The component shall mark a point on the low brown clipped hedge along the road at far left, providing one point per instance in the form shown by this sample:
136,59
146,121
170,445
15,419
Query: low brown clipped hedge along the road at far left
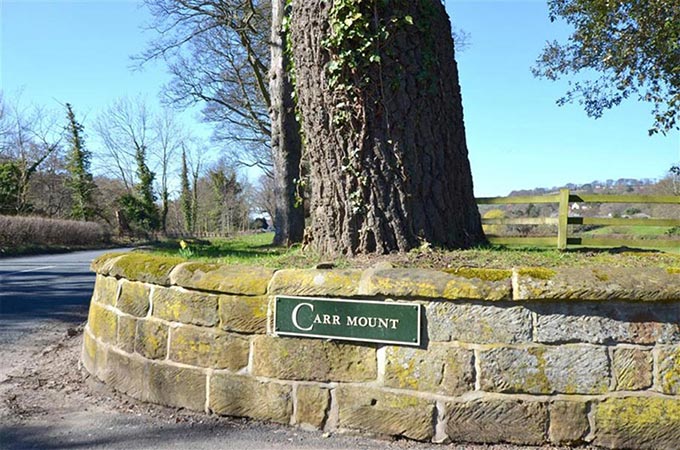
17,232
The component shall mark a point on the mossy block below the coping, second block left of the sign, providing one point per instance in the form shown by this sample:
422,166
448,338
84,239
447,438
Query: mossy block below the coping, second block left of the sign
178,305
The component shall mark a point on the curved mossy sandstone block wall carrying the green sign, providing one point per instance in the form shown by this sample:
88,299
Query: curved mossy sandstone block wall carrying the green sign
527,356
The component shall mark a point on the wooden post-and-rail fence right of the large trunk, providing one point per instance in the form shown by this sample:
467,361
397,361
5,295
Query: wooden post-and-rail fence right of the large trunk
564,198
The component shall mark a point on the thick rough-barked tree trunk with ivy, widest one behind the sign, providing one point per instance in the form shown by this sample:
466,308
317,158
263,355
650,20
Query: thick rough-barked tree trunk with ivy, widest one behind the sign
384,131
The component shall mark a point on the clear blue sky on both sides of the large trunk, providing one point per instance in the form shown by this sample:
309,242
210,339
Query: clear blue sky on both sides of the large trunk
79,51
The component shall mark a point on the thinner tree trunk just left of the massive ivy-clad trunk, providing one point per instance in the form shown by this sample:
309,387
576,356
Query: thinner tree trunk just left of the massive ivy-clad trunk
289,220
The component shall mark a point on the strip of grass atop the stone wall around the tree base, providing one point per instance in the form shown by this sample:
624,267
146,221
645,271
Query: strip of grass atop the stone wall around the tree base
255,249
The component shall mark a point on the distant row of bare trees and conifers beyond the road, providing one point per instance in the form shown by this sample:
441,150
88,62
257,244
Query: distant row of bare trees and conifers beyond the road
150,176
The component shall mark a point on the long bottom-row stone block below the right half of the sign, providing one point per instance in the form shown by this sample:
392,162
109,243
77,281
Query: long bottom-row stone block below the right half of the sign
381,412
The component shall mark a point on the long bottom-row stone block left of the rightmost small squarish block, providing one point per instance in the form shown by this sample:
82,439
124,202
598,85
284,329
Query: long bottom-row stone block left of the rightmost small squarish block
493,421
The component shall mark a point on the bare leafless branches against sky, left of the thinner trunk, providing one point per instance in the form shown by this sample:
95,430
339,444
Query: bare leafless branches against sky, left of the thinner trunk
218,54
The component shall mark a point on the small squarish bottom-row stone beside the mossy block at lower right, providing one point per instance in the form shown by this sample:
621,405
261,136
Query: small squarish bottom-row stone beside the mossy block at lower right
568,422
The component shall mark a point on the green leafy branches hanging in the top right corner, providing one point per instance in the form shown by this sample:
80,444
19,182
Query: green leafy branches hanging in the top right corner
621,48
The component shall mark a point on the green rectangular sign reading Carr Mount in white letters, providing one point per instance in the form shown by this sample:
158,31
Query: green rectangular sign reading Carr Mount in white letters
352,320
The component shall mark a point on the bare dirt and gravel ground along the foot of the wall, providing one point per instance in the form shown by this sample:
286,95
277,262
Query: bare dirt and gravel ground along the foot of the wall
48,401
